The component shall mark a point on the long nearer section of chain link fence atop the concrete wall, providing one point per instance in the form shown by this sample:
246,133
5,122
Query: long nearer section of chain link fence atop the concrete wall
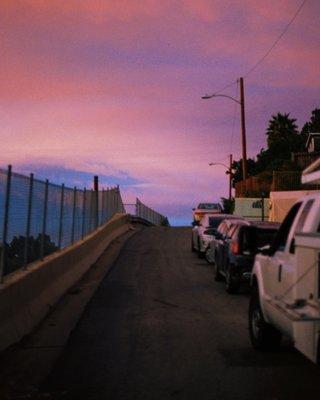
38,217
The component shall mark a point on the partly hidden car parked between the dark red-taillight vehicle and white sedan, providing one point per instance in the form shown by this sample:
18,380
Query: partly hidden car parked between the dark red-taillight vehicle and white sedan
222,235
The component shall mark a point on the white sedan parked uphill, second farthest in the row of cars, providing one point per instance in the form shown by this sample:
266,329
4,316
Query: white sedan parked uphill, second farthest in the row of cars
205,231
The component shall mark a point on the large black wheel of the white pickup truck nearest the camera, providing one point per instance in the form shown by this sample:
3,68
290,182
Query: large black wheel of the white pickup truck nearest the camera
263,336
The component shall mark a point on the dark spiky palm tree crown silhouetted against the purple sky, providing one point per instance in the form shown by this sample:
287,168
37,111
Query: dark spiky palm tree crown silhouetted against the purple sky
281,128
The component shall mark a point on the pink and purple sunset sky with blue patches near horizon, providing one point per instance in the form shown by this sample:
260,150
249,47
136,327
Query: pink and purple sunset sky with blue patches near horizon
114,88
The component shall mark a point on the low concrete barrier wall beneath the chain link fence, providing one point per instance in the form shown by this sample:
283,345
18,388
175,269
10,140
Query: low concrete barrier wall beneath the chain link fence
27,296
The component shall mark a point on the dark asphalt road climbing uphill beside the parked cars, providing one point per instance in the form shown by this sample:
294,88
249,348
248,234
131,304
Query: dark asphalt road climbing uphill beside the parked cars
160,327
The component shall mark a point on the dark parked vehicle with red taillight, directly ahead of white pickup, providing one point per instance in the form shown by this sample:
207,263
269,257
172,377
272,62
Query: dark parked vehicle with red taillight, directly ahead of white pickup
235,255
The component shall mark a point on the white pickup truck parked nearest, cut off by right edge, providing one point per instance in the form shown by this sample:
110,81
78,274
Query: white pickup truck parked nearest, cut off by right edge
285,281
